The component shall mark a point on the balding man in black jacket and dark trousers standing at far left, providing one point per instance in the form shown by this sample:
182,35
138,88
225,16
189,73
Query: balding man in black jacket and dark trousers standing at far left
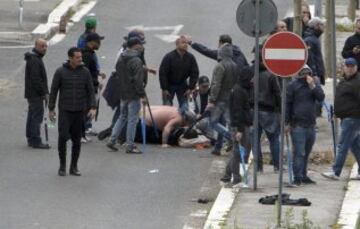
36,91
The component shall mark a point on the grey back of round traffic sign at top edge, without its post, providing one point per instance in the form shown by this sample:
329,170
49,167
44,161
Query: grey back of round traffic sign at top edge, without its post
246,17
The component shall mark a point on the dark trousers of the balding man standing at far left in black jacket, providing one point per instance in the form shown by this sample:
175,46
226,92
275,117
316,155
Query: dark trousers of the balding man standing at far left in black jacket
34,119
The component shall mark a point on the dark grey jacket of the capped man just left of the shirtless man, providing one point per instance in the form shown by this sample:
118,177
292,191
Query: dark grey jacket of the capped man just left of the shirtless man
131,72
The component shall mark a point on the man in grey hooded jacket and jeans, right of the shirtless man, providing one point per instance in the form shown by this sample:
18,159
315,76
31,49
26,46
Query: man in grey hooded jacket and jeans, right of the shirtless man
223,80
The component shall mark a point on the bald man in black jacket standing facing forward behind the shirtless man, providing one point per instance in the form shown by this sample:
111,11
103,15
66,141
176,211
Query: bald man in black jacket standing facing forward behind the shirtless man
176,68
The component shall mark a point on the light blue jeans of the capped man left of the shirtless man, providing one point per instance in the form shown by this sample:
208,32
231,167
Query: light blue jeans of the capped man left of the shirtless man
129,115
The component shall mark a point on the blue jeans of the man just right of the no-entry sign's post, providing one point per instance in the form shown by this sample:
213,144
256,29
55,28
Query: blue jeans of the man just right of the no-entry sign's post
303,140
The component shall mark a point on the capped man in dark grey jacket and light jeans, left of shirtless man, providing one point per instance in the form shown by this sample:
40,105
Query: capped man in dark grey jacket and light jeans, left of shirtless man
131,71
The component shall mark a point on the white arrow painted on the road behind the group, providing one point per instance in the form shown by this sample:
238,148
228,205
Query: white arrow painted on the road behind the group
165,37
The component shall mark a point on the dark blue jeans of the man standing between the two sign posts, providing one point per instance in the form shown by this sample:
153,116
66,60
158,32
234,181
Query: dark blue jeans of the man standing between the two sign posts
269,123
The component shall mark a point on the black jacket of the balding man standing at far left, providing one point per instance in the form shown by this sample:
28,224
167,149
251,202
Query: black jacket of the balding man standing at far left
36,85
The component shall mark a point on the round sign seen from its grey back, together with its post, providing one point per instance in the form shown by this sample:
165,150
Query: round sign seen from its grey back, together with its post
263,23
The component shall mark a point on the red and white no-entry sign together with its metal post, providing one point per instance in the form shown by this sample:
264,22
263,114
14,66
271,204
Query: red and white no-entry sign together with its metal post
284,54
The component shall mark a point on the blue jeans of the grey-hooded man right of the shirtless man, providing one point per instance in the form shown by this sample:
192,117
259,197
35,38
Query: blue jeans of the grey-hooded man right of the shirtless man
218,123
